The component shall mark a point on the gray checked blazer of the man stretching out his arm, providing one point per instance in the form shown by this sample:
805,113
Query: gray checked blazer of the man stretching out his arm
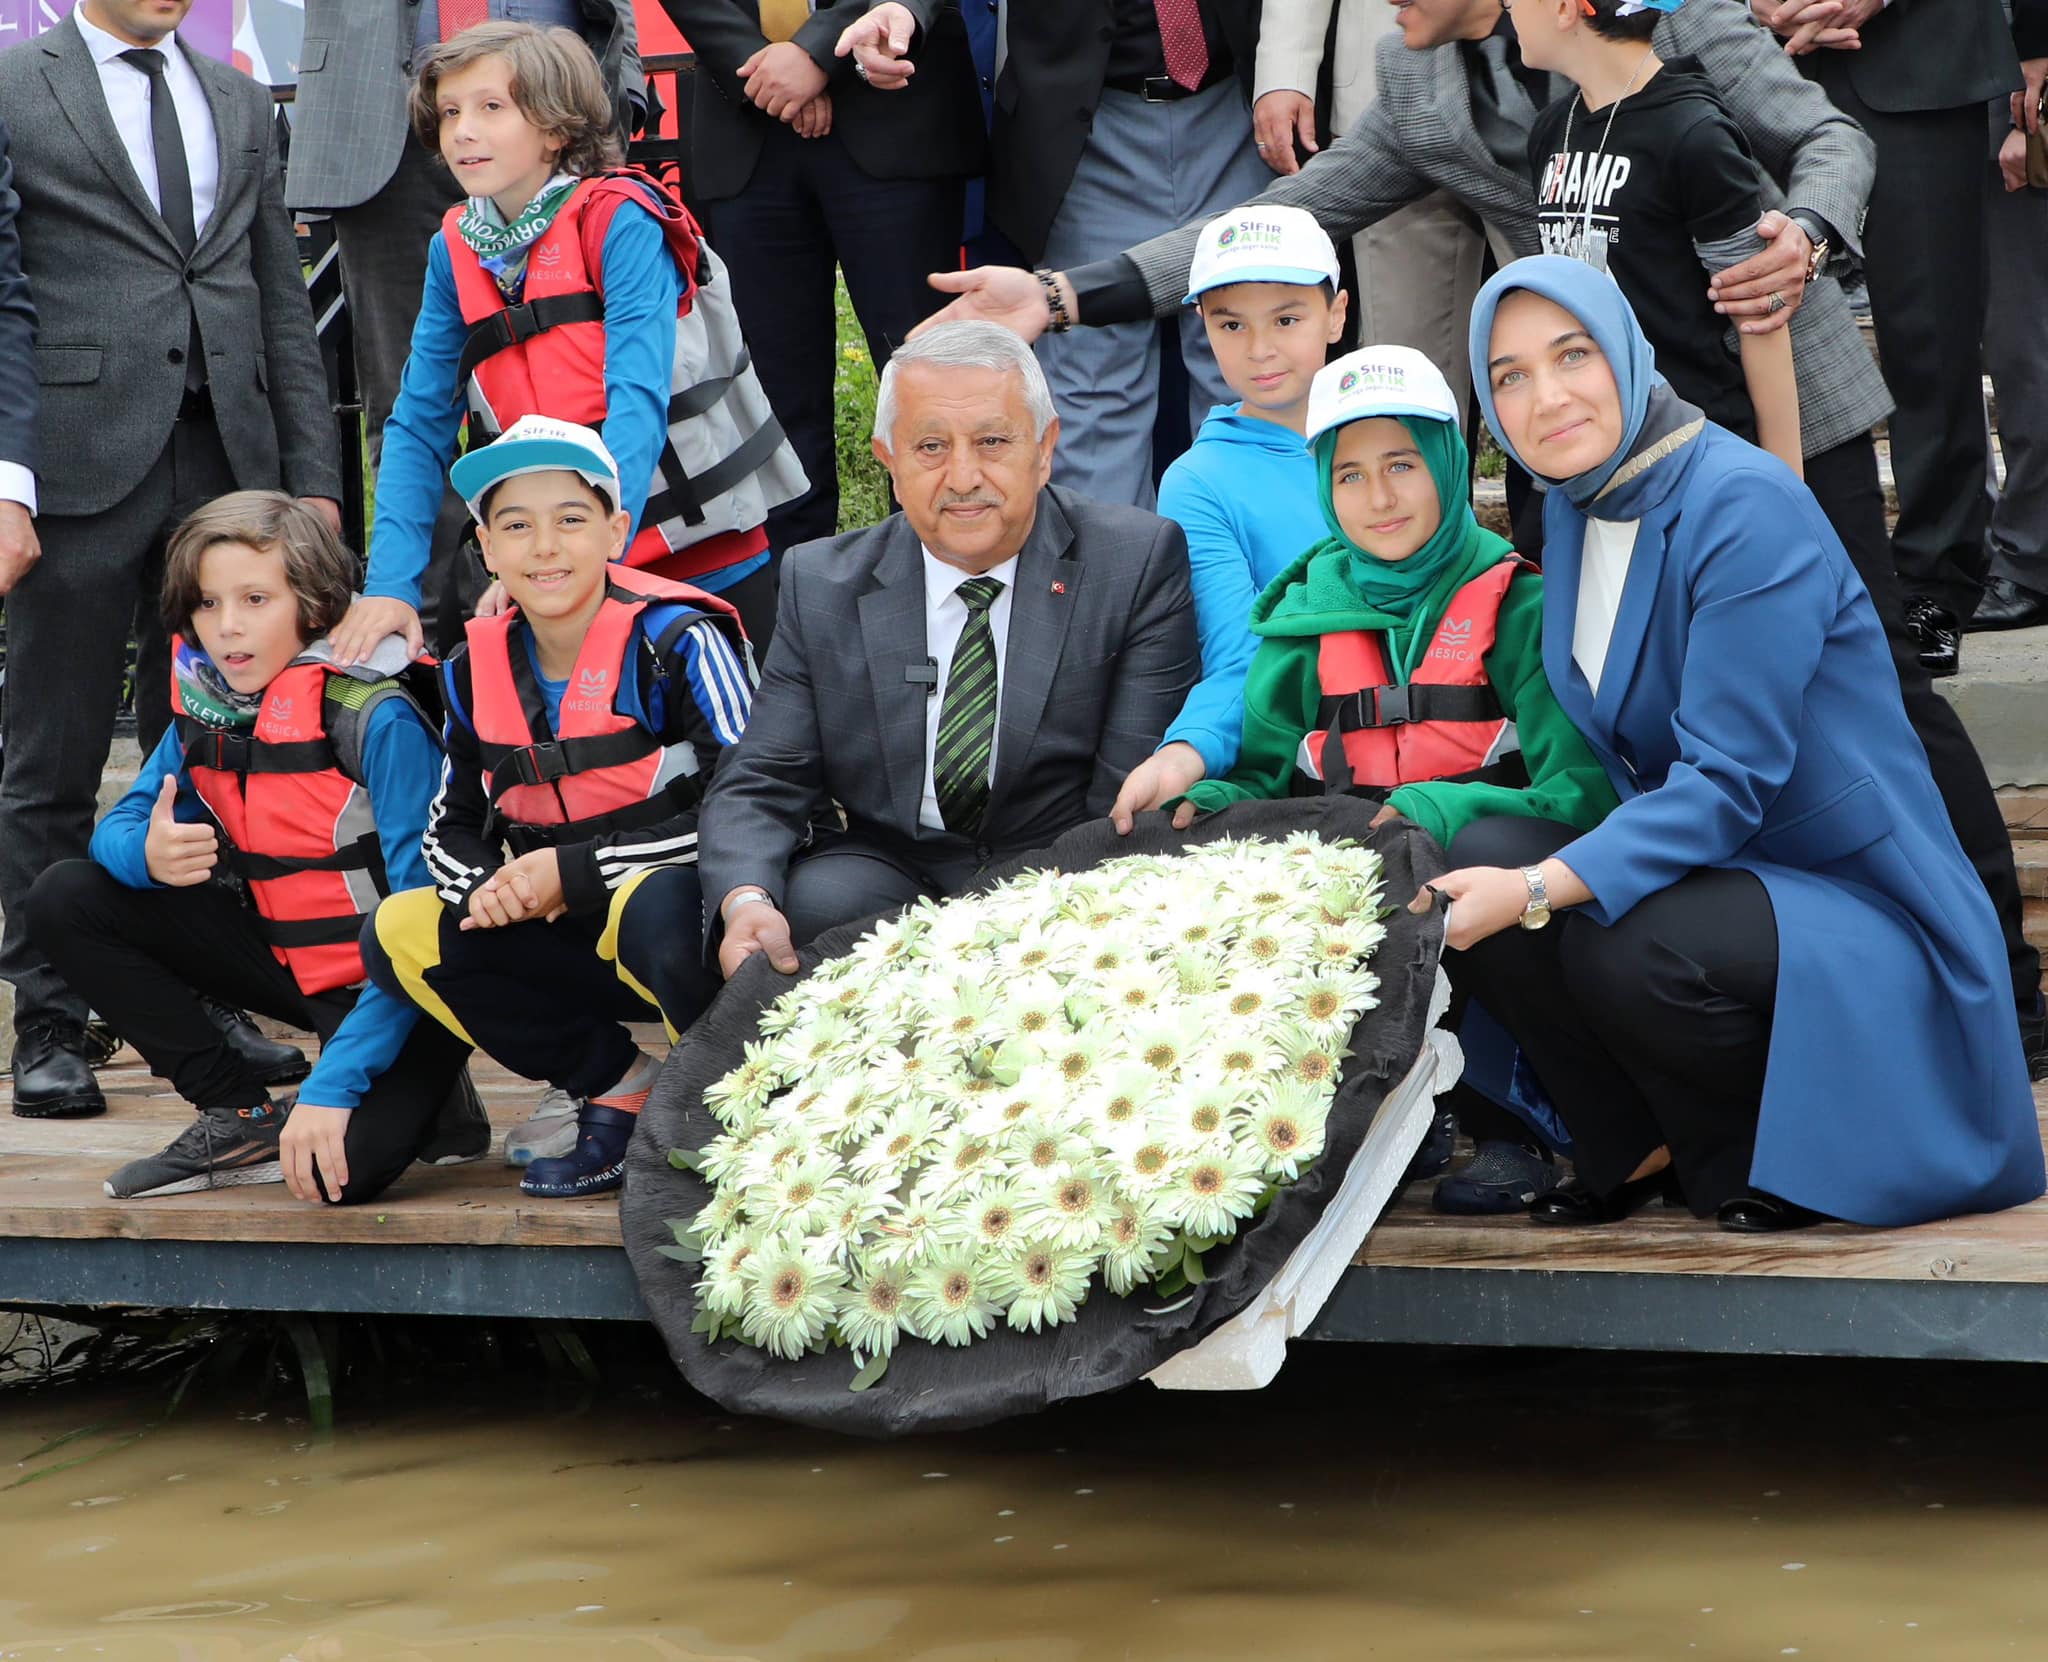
1418,136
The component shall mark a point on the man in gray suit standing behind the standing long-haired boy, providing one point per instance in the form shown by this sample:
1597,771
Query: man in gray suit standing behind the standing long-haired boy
353,152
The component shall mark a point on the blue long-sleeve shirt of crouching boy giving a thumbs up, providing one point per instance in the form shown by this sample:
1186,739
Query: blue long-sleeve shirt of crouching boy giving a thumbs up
402,773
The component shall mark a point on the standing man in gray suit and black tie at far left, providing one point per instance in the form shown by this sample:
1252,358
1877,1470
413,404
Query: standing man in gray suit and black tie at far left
177,361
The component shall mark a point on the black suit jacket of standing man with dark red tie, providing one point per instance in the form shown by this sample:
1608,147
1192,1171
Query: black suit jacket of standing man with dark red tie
1046,101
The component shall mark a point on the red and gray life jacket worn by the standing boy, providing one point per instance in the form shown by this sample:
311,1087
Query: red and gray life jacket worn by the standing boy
726,462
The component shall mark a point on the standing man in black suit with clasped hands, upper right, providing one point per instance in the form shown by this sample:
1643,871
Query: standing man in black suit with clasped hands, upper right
1916,79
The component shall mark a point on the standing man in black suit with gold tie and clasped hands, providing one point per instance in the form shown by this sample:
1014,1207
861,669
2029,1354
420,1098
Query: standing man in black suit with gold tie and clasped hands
798,169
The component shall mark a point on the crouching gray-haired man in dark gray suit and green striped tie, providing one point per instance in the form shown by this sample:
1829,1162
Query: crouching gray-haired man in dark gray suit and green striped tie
970,679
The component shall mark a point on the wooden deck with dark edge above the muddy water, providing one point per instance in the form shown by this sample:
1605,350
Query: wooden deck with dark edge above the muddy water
464,1241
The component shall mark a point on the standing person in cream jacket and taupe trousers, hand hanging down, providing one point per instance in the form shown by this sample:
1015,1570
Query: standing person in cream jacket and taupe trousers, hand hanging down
1420,267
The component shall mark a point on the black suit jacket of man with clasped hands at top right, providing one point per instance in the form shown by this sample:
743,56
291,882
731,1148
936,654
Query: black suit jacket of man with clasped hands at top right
1926,56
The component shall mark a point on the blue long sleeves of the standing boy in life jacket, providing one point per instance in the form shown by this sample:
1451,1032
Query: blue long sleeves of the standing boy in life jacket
642,292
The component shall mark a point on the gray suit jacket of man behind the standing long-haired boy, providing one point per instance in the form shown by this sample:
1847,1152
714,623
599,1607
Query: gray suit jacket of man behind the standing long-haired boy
355,77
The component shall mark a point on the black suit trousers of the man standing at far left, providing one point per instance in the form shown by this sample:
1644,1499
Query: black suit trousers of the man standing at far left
69,625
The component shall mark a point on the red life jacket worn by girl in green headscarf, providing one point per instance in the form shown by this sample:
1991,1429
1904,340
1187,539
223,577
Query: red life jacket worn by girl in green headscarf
1447,724
